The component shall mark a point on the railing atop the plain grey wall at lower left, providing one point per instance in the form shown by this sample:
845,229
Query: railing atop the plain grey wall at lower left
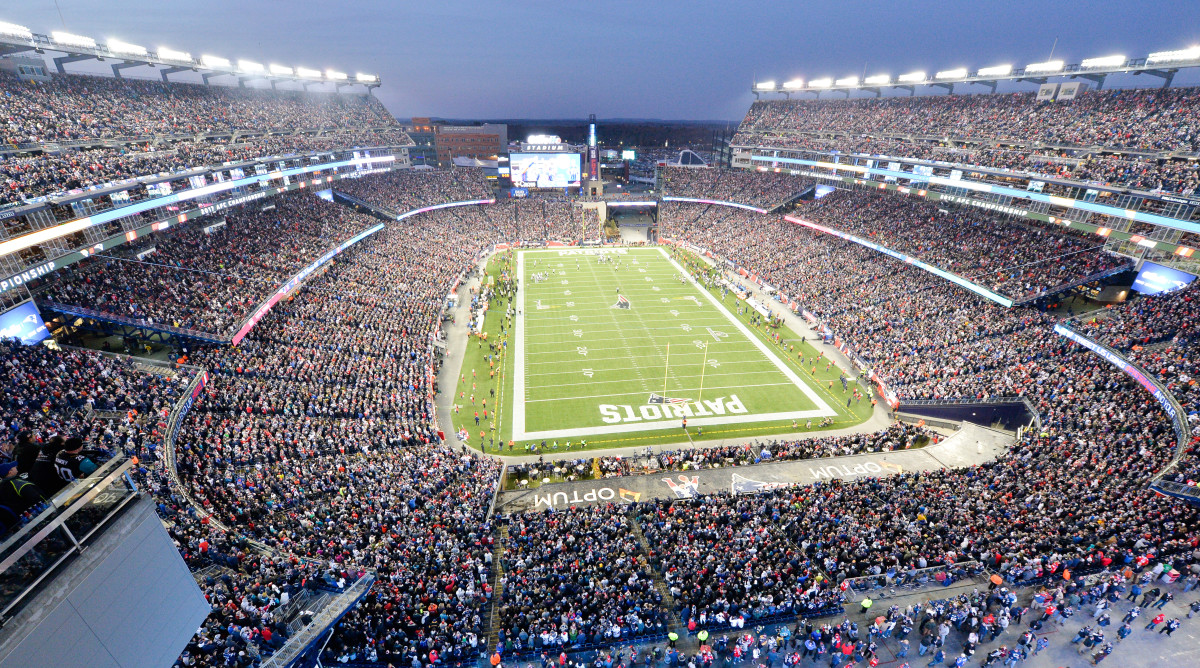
71,519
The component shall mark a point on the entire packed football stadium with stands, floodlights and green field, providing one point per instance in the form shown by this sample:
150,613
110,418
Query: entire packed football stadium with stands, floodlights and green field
898,370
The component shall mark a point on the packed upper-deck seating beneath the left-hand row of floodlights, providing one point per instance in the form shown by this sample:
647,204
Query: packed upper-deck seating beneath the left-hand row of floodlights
80,131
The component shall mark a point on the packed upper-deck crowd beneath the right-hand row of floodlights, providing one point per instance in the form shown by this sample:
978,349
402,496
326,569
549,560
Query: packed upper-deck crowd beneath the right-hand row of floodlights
967,128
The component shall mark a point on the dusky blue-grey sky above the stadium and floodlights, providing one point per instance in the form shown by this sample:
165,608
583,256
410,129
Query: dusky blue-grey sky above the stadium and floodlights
668,59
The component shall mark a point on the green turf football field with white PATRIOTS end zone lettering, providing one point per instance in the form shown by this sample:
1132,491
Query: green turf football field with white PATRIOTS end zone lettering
584,362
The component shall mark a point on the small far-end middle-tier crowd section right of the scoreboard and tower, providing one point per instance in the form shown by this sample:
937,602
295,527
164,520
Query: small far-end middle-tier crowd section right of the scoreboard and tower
764,190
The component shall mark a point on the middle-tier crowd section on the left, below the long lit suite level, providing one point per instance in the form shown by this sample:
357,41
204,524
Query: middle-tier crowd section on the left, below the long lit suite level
209,281
